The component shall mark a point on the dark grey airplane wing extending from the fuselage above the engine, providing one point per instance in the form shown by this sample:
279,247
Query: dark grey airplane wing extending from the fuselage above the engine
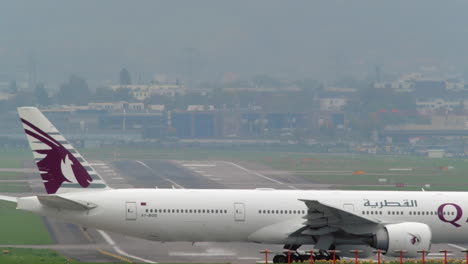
324,219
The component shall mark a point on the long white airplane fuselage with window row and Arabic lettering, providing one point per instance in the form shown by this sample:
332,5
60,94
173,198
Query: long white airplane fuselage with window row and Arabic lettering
263,216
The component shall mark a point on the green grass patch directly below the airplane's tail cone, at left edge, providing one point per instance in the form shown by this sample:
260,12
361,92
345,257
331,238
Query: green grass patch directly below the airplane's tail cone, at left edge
21,228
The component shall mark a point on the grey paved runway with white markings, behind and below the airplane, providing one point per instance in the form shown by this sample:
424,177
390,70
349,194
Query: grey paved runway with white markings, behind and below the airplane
179,174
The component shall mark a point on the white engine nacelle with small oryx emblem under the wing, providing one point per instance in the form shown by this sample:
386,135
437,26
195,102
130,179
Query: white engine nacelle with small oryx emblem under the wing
408,237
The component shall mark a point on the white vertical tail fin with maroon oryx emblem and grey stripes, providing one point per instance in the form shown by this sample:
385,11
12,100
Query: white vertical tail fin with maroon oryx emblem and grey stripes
61,167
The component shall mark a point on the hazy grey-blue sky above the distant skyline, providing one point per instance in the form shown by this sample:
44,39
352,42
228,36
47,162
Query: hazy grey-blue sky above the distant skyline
288,39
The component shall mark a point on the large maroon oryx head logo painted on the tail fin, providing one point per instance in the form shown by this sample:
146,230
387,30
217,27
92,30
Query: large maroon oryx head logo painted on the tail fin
58,165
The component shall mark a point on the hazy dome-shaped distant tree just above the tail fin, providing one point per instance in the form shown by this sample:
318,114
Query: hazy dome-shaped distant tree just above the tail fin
75,91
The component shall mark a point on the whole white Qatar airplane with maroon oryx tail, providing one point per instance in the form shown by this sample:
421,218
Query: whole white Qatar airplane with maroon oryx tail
391,221
